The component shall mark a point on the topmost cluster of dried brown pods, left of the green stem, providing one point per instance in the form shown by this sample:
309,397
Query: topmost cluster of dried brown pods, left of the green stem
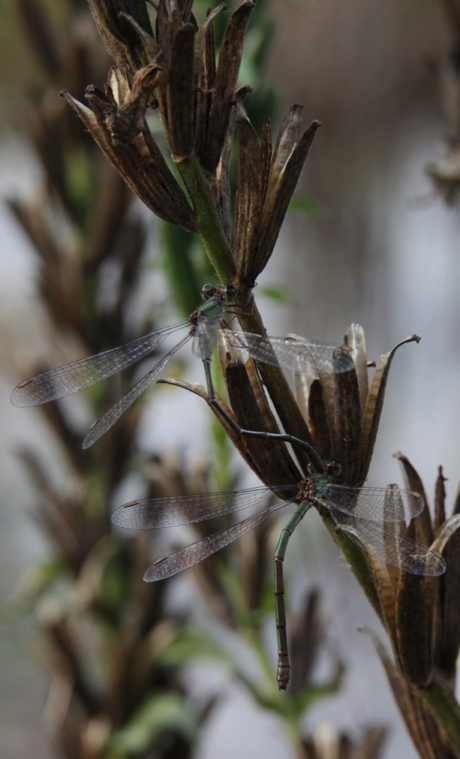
173,70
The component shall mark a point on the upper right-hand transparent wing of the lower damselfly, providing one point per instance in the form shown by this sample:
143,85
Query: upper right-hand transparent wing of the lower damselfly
378,504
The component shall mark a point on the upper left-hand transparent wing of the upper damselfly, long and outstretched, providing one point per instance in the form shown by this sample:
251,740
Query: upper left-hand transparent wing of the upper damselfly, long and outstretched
77,375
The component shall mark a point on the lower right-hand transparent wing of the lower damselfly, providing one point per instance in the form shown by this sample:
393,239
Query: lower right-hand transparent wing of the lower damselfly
393,548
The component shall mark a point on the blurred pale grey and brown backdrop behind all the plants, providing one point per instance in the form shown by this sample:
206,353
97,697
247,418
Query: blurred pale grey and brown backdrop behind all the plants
380,248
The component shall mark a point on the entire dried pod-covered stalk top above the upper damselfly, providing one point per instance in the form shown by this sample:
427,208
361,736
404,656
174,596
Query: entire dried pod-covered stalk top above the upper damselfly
173,69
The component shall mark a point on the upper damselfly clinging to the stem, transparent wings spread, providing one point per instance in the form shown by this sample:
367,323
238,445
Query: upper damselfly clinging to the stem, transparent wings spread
204,326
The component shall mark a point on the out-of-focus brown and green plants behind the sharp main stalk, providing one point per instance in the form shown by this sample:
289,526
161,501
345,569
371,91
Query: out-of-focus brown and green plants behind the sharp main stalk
115,653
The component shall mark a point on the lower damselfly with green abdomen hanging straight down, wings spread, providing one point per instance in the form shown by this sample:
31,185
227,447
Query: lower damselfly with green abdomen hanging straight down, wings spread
361,512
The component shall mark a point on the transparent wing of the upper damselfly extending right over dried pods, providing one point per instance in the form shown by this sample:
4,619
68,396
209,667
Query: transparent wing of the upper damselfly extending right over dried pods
292,352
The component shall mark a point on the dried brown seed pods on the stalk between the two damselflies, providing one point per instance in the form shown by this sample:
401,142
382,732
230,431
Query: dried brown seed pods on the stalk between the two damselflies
337,403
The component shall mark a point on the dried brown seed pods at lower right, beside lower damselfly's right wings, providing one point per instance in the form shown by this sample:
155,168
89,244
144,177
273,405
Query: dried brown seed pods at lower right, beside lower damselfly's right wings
422,618
